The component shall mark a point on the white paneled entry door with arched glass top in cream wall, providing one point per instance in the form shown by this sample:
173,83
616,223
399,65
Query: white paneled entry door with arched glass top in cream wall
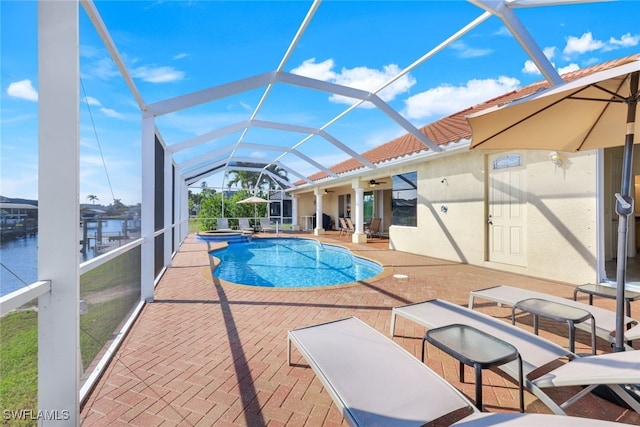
507,210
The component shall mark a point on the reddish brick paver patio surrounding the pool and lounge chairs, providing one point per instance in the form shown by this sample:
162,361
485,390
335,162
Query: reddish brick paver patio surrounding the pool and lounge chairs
209,353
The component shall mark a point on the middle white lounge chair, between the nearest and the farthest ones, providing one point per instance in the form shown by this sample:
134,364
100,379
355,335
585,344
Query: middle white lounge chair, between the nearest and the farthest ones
536,352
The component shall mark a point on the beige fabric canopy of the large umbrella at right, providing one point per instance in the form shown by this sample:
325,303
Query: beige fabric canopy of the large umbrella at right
584,114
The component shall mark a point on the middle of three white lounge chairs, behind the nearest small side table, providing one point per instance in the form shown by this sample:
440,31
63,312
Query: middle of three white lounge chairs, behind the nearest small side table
536,352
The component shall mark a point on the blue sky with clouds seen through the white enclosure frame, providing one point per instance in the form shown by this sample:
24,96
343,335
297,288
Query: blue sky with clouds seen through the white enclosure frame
173,48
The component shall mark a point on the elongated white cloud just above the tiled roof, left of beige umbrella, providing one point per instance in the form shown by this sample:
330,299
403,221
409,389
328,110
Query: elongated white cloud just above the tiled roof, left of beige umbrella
447,99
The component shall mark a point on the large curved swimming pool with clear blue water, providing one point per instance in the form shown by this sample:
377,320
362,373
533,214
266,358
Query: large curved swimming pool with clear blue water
291,263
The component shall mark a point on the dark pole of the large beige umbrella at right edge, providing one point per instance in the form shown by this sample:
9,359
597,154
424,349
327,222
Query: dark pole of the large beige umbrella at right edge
624,208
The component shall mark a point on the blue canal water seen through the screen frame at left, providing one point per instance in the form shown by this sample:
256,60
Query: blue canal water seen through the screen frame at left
19,257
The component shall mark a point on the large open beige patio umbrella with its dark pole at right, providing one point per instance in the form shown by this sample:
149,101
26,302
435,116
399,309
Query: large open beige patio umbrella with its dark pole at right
596,111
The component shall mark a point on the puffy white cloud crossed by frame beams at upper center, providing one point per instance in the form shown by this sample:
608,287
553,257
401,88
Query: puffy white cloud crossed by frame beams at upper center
363,78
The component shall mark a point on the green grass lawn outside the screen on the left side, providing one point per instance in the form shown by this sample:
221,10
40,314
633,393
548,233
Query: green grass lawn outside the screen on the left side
19,331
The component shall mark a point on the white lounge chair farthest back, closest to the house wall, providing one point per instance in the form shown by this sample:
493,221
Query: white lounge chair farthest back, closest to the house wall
605,320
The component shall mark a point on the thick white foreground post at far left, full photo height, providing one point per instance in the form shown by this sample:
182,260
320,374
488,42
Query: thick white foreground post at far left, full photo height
59,361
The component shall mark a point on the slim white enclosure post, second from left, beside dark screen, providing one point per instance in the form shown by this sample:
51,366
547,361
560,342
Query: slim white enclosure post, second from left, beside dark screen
147,267
